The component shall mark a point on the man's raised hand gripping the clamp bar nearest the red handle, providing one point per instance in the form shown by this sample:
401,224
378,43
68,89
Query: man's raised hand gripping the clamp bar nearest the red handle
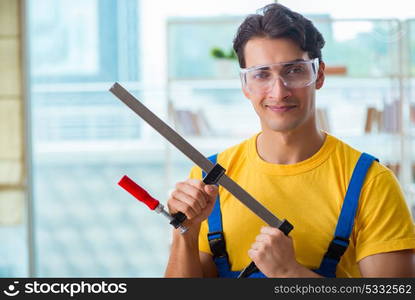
193,198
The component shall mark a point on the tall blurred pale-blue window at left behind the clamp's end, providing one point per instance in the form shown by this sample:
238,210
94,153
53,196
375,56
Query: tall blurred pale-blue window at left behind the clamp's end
83,225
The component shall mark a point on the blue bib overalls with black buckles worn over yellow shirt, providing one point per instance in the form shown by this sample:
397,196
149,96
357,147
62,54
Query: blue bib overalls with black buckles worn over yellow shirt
337,246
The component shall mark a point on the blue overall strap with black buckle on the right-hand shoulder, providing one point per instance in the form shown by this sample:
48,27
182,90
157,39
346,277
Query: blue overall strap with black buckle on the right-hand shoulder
345,223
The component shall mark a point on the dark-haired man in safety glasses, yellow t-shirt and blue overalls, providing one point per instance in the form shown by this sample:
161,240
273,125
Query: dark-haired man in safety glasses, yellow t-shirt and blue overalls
297,171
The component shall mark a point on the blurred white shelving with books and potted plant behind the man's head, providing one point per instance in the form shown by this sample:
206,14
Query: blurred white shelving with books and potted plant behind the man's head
365,99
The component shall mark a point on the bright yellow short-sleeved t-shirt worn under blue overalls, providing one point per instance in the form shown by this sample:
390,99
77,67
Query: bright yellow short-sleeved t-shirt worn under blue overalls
310,194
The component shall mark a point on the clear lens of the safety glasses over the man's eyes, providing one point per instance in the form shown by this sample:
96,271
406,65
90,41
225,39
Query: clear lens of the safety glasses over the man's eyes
261,79
